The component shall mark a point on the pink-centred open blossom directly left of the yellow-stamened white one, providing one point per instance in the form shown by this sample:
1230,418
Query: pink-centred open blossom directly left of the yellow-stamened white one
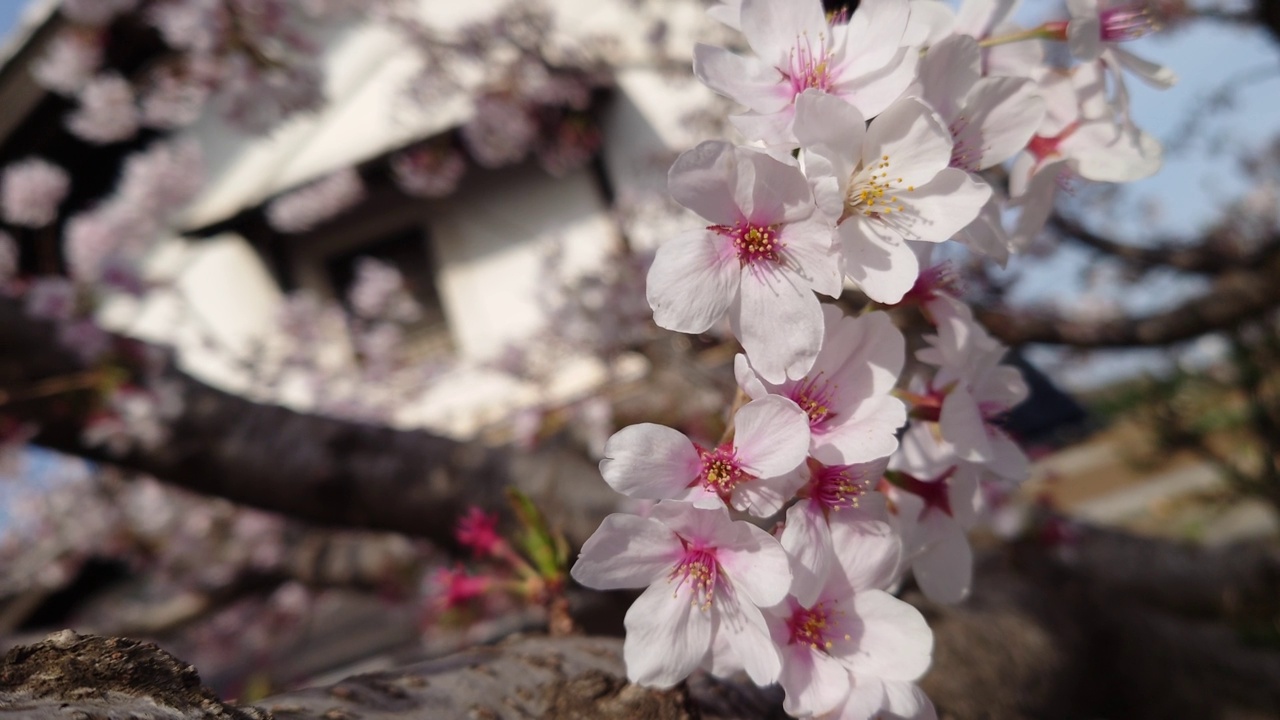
760,262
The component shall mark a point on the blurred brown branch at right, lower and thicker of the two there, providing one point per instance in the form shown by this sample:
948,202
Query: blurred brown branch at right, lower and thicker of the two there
1236,297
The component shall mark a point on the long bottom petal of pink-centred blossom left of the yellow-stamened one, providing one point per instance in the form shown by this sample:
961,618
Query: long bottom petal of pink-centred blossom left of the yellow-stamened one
779,325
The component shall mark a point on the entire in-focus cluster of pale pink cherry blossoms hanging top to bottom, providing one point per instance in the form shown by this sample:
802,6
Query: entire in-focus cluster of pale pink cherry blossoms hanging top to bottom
870,135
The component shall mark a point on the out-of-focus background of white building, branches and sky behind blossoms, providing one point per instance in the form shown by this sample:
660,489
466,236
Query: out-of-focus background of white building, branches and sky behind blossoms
290,286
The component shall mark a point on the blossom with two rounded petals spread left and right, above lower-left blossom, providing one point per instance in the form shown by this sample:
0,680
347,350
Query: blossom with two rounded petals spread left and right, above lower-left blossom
756,472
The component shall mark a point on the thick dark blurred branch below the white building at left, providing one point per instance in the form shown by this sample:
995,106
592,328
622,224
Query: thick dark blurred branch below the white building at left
317,470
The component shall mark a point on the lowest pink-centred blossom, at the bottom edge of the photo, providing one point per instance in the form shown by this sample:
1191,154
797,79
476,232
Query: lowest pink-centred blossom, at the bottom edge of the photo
852,632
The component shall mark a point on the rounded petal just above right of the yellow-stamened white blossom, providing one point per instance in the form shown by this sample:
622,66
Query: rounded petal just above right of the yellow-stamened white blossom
1004,115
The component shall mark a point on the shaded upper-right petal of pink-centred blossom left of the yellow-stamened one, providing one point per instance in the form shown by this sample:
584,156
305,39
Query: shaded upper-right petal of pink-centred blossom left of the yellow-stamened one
771,192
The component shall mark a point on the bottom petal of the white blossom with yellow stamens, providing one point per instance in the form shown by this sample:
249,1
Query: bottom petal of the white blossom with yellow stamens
877,259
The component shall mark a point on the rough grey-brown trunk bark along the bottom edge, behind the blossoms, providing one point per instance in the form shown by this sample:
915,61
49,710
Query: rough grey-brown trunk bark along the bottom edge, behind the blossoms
1116,627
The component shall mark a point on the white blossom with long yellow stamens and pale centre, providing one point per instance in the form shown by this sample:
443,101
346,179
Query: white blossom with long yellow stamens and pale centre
888,184
